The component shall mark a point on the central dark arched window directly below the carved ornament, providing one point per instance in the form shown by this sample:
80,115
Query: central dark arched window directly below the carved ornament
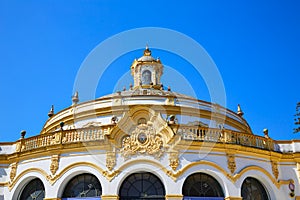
142,185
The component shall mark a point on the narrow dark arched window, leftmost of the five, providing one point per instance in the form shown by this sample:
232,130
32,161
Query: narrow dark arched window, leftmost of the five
34,190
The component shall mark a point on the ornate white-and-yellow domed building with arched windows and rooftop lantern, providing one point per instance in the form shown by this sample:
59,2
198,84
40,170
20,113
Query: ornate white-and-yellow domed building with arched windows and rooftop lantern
148,143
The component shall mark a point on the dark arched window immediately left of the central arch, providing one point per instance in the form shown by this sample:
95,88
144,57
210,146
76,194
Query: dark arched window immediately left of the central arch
83,186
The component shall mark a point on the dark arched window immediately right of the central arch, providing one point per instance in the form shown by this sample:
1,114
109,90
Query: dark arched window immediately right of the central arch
200,186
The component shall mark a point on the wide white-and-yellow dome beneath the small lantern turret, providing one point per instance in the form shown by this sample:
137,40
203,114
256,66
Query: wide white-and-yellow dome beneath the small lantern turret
188,111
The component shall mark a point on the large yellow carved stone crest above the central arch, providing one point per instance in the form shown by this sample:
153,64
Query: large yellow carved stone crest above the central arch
143,140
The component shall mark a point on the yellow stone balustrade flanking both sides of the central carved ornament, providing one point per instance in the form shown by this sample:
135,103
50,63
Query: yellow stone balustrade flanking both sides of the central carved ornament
192,133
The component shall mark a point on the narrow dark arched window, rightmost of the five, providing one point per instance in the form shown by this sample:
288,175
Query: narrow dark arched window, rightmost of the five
252,189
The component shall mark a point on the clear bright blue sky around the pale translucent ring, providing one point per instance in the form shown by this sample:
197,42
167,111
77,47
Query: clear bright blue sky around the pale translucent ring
255,45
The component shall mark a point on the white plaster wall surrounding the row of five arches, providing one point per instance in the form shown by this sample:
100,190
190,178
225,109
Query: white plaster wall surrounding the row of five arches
142,163
